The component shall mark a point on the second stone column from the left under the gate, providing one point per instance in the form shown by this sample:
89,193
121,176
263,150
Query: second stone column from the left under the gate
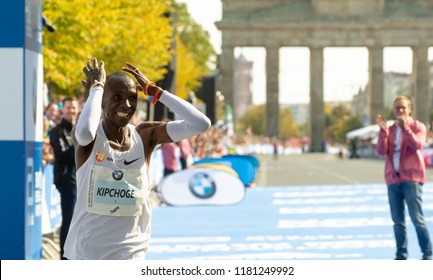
272,91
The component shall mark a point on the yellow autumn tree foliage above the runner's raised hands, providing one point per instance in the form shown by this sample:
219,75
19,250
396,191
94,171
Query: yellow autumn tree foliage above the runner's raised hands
136,31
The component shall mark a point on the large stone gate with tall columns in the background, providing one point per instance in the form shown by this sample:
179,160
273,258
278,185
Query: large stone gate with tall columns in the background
317,24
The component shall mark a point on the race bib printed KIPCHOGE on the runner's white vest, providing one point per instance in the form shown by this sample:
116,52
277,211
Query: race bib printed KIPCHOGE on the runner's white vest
115,192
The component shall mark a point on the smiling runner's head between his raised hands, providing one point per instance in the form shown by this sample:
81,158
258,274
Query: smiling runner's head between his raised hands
120,99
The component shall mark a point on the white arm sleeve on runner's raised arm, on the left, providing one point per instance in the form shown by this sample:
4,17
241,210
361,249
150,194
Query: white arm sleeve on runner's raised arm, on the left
87,124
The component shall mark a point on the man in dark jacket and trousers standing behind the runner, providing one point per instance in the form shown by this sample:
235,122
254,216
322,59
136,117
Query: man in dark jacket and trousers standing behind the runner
64,164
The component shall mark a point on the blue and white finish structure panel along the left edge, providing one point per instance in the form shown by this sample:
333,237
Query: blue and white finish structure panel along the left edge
21,79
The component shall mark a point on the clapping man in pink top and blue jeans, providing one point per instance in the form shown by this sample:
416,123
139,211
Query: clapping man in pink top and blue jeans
402,144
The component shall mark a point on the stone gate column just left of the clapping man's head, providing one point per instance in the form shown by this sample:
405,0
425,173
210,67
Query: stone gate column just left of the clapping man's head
375,82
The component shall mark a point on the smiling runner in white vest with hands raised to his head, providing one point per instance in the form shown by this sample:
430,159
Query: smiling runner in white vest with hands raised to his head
113,212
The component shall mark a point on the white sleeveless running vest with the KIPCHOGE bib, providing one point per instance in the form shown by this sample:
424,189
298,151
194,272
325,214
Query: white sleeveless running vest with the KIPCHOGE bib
112,214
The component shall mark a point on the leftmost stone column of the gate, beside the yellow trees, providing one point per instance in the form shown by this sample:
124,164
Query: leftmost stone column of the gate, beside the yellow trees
226,66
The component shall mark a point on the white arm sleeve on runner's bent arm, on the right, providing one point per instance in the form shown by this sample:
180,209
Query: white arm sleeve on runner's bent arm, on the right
193,121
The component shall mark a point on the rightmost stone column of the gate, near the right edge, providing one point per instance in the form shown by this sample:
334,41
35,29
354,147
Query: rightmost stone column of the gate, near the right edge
421,78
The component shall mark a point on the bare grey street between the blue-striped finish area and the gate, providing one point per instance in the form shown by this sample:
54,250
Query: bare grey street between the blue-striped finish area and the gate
320,169
